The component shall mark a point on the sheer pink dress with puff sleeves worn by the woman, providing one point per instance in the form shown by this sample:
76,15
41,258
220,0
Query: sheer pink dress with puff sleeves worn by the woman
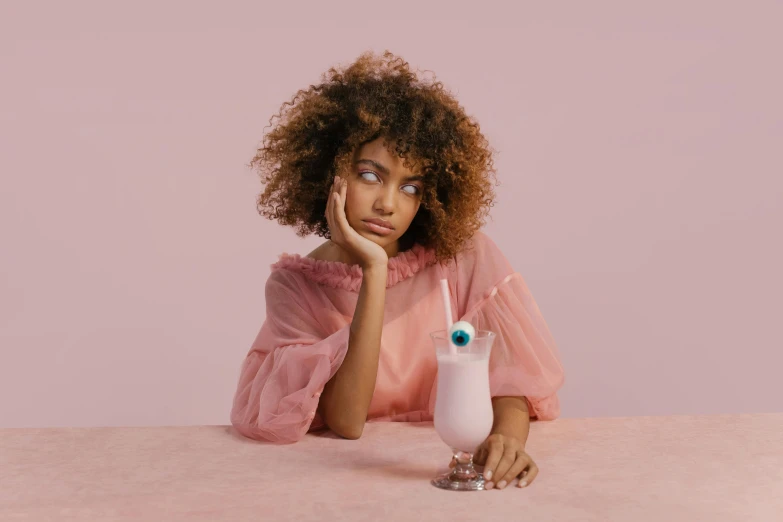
310,305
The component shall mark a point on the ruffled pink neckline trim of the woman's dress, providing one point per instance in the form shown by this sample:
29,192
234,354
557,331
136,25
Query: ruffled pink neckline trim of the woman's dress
349,277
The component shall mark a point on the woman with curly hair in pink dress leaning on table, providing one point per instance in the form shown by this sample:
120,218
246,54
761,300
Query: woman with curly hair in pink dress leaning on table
398,179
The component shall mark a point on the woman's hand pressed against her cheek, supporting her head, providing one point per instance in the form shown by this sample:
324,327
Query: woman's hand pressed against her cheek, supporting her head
369,254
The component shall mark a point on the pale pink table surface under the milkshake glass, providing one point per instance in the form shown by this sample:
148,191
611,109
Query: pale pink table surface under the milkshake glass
683,468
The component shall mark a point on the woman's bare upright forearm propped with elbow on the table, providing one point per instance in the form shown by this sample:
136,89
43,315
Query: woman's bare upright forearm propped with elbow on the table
346,398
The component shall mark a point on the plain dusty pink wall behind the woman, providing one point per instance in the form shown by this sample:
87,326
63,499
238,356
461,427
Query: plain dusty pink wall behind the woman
639,151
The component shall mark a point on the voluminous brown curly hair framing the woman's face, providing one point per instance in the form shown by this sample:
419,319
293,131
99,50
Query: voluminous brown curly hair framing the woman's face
378,97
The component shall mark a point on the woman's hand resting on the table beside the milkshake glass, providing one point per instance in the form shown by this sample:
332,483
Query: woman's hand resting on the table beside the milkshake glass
504,459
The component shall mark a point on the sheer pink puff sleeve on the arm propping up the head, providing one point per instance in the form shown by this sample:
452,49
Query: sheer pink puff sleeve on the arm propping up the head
293,356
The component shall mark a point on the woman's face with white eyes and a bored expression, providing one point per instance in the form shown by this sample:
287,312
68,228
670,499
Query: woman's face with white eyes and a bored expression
383,196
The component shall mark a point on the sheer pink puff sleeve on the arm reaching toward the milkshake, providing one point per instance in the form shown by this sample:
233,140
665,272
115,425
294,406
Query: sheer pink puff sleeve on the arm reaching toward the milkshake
524,360
